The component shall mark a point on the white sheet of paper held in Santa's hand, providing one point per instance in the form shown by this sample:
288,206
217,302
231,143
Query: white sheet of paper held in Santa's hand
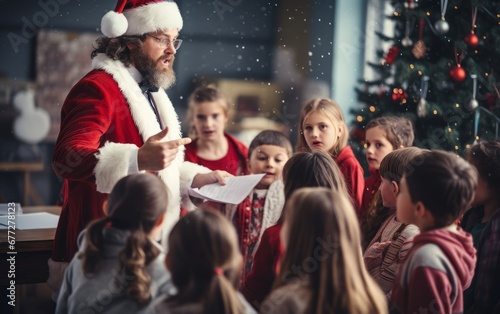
234,192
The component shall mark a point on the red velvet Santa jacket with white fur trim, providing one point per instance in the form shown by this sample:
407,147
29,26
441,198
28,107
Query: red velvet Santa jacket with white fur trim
104,120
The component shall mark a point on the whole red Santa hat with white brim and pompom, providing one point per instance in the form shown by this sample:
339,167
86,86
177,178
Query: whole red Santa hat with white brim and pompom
137,17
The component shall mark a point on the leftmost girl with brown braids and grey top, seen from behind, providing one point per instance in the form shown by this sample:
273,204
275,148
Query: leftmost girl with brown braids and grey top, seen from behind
119,268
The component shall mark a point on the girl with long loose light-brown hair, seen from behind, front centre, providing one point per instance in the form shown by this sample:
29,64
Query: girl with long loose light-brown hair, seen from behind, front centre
322,270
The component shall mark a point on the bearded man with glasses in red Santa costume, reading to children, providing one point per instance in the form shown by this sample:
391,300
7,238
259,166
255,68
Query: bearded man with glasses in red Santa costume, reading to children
118,120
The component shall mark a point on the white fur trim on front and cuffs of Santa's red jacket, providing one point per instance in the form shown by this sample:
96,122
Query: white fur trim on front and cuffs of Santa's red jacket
147,125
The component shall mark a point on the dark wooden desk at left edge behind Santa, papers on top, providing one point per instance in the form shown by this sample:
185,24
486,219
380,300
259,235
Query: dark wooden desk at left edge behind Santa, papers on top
33,247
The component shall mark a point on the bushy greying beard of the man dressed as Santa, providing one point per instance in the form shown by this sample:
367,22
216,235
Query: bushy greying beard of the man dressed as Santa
163,78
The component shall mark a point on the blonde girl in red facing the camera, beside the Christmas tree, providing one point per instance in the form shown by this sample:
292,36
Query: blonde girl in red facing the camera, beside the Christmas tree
322,127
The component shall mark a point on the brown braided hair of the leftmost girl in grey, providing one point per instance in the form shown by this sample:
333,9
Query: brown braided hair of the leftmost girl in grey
136,206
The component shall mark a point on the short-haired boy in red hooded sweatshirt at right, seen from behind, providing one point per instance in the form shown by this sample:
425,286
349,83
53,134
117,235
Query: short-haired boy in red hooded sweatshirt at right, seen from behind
435,190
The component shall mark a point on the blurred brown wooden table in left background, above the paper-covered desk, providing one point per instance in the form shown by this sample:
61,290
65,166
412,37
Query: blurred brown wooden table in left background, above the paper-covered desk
29,188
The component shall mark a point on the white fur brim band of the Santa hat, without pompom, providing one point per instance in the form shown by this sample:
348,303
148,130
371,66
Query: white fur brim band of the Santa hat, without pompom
153,17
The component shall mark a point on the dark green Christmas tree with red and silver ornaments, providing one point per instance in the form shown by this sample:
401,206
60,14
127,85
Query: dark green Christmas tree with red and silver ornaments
442,71
